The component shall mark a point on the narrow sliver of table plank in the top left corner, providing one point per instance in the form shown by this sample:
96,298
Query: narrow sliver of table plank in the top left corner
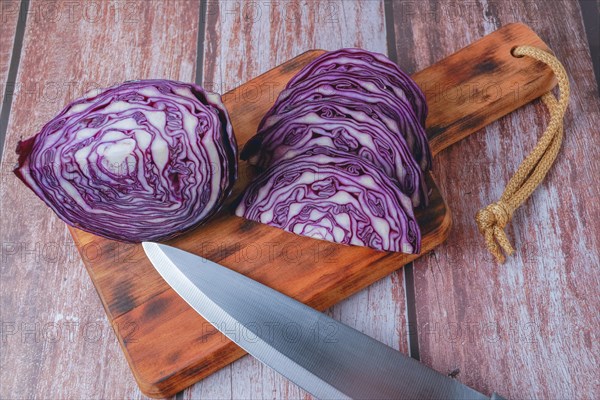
9,15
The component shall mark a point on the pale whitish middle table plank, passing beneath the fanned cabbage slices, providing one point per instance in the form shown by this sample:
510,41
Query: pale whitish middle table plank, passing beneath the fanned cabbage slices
264,43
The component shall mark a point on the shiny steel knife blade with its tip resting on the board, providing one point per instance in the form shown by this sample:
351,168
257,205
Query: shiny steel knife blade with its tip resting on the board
326,358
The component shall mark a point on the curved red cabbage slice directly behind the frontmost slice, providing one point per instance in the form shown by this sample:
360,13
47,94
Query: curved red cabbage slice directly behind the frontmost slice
349,128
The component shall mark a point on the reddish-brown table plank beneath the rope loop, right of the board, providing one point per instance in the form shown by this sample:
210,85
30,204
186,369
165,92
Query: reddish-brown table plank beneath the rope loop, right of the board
527,329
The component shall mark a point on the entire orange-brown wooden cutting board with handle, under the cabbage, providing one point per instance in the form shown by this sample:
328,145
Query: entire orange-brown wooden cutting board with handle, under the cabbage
169,346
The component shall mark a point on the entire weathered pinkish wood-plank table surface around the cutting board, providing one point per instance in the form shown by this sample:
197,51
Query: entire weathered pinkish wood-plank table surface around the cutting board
527,329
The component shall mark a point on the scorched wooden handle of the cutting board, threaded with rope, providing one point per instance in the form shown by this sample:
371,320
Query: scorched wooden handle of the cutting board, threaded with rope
481,83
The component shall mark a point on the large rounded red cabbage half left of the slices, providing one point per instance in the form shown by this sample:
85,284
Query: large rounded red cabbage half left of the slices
145,160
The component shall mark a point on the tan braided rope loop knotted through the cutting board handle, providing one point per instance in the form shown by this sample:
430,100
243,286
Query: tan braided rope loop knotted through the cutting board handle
492,219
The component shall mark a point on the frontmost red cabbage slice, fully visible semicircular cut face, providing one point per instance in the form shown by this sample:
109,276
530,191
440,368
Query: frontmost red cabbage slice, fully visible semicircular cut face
327,195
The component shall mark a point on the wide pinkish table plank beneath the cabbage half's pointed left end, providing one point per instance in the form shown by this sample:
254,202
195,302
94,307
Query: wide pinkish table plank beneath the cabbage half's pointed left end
44,286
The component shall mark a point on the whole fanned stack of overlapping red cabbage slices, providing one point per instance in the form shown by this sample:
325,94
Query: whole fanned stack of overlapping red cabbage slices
343,152
